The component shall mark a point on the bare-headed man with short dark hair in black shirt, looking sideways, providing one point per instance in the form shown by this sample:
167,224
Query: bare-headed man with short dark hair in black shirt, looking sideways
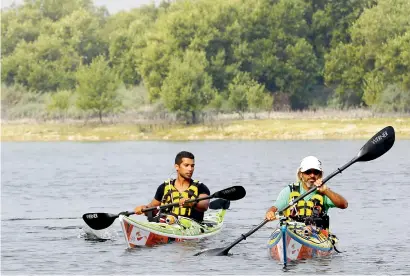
180,190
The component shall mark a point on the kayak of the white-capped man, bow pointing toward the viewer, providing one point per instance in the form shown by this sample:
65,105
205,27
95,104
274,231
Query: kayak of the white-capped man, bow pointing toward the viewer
295,241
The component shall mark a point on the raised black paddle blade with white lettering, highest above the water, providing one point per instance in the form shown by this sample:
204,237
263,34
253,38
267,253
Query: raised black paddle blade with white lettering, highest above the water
378,145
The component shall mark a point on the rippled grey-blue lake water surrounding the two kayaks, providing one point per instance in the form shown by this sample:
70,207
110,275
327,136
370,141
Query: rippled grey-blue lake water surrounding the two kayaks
47,187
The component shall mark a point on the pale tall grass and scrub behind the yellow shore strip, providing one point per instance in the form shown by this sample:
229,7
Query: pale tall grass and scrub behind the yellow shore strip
21,106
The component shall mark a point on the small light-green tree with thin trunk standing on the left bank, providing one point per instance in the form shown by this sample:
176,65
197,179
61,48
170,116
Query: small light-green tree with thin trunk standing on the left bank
97,86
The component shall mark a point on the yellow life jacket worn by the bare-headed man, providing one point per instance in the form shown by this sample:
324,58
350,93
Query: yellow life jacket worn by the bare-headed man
172,195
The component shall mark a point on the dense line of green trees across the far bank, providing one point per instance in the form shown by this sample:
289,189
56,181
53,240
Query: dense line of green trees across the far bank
197,55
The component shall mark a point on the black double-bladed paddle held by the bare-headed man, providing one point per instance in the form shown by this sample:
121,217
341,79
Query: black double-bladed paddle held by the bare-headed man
99,221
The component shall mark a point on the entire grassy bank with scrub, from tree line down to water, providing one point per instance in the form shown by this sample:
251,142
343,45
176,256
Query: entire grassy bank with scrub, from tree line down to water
31,116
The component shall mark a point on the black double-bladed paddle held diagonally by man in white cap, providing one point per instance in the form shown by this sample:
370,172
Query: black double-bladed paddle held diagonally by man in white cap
378,145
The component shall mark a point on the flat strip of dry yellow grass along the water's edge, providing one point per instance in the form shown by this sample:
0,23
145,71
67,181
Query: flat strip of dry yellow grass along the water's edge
264,129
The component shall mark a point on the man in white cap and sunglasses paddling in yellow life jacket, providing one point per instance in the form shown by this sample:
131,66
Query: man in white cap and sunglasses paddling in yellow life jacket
316,204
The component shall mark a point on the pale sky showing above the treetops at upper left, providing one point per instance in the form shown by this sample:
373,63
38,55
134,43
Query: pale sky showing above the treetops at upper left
113,6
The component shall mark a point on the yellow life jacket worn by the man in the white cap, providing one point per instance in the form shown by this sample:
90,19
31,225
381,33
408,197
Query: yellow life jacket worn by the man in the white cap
303,208
